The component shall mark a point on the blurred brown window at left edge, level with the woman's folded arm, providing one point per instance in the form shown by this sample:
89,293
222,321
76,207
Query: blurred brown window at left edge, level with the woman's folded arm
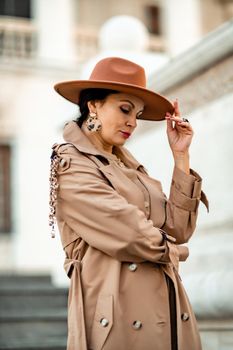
5,207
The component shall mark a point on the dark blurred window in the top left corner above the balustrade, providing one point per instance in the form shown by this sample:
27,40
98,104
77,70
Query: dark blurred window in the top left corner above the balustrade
15,8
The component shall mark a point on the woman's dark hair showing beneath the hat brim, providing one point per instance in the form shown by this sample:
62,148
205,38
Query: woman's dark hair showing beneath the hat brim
90,95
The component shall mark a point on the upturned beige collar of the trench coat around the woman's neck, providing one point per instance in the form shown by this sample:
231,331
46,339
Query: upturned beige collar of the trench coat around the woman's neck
74,135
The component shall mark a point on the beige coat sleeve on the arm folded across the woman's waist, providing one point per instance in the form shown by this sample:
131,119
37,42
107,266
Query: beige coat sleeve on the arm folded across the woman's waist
104,219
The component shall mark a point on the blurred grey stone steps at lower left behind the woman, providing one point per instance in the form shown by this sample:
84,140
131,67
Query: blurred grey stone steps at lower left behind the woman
33,313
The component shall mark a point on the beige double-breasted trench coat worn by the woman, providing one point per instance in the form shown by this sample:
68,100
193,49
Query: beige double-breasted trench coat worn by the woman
121,236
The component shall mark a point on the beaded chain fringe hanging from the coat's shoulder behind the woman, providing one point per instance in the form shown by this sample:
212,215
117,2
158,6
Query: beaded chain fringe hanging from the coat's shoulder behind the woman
53,192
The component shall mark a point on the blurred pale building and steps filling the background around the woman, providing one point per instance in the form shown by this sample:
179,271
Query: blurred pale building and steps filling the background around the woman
186,48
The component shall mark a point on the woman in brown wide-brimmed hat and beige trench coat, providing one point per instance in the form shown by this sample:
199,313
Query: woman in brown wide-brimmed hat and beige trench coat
121,235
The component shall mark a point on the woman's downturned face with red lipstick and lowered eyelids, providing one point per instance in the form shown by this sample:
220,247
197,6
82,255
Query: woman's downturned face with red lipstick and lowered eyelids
118,114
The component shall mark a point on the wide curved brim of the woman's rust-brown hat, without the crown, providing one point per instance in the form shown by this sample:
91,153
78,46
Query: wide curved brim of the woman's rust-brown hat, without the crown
156,105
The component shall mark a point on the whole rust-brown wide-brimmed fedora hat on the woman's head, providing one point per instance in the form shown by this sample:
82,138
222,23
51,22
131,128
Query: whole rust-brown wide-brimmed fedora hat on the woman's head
121,75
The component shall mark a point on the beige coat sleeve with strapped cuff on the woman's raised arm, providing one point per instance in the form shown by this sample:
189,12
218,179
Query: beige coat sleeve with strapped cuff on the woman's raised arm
182,205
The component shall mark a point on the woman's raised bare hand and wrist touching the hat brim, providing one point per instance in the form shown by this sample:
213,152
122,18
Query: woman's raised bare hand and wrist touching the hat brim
180,135
